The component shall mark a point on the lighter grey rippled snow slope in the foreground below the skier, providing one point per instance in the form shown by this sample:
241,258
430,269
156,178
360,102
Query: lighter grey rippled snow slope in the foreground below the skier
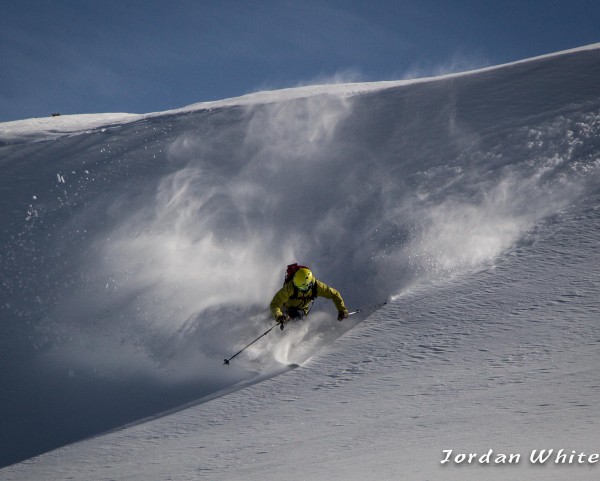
503,359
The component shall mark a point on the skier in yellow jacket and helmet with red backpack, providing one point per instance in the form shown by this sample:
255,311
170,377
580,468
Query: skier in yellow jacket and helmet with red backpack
300,289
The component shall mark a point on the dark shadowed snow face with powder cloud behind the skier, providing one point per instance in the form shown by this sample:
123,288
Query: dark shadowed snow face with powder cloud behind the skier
137,255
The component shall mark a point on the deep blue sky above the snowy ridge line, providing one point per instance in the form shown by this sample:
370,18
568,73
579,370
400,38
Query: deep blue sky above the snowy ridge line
138,56
